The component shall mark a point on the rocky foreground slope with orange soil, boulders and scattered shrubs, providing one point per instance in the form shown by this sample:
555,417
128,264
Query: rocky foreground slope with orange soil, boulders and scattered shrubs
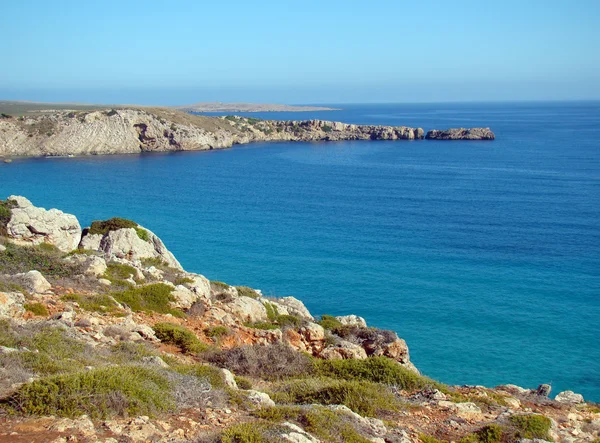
104,337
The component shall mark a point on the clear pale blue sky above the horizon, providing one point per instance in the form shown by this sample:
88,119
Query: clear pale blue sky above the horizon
328,51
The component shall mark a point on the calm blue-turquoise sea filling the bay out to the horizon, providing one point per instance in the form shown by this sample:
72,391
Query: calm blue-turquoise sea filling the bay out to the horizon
484,256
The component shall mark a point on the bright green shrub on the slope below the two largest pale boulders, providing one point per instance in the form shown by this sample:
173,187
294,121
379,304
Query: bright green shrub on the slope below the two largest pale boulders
155,297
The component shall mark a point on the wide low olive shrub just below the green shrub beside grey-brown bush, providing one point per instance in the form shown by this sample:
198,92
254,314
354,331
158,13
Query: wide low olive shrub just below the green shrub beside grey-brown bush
362,397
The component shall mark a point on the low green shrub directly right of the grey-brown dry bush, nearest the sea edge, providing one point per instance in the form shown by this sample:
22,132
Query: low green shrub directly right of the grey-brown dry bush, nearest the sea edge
373,369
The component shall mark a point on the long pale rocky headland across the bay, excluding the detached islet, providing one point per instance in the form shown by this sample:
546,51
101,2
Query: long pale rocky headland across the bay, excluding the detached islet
126,131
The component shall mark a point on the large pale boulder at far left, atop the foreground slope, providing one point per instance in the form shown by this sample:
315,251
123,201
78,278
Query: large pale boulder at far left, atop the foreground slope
32,225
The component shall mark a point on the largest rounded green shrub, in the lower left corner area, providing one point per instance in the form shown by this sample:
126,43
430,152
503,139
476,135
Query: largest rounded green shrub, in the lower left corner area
99,393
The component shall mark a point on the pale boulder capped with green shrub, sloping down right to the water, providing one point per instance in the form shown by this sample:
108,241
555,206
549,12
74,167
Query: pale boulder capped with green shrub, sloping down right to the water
126,244
